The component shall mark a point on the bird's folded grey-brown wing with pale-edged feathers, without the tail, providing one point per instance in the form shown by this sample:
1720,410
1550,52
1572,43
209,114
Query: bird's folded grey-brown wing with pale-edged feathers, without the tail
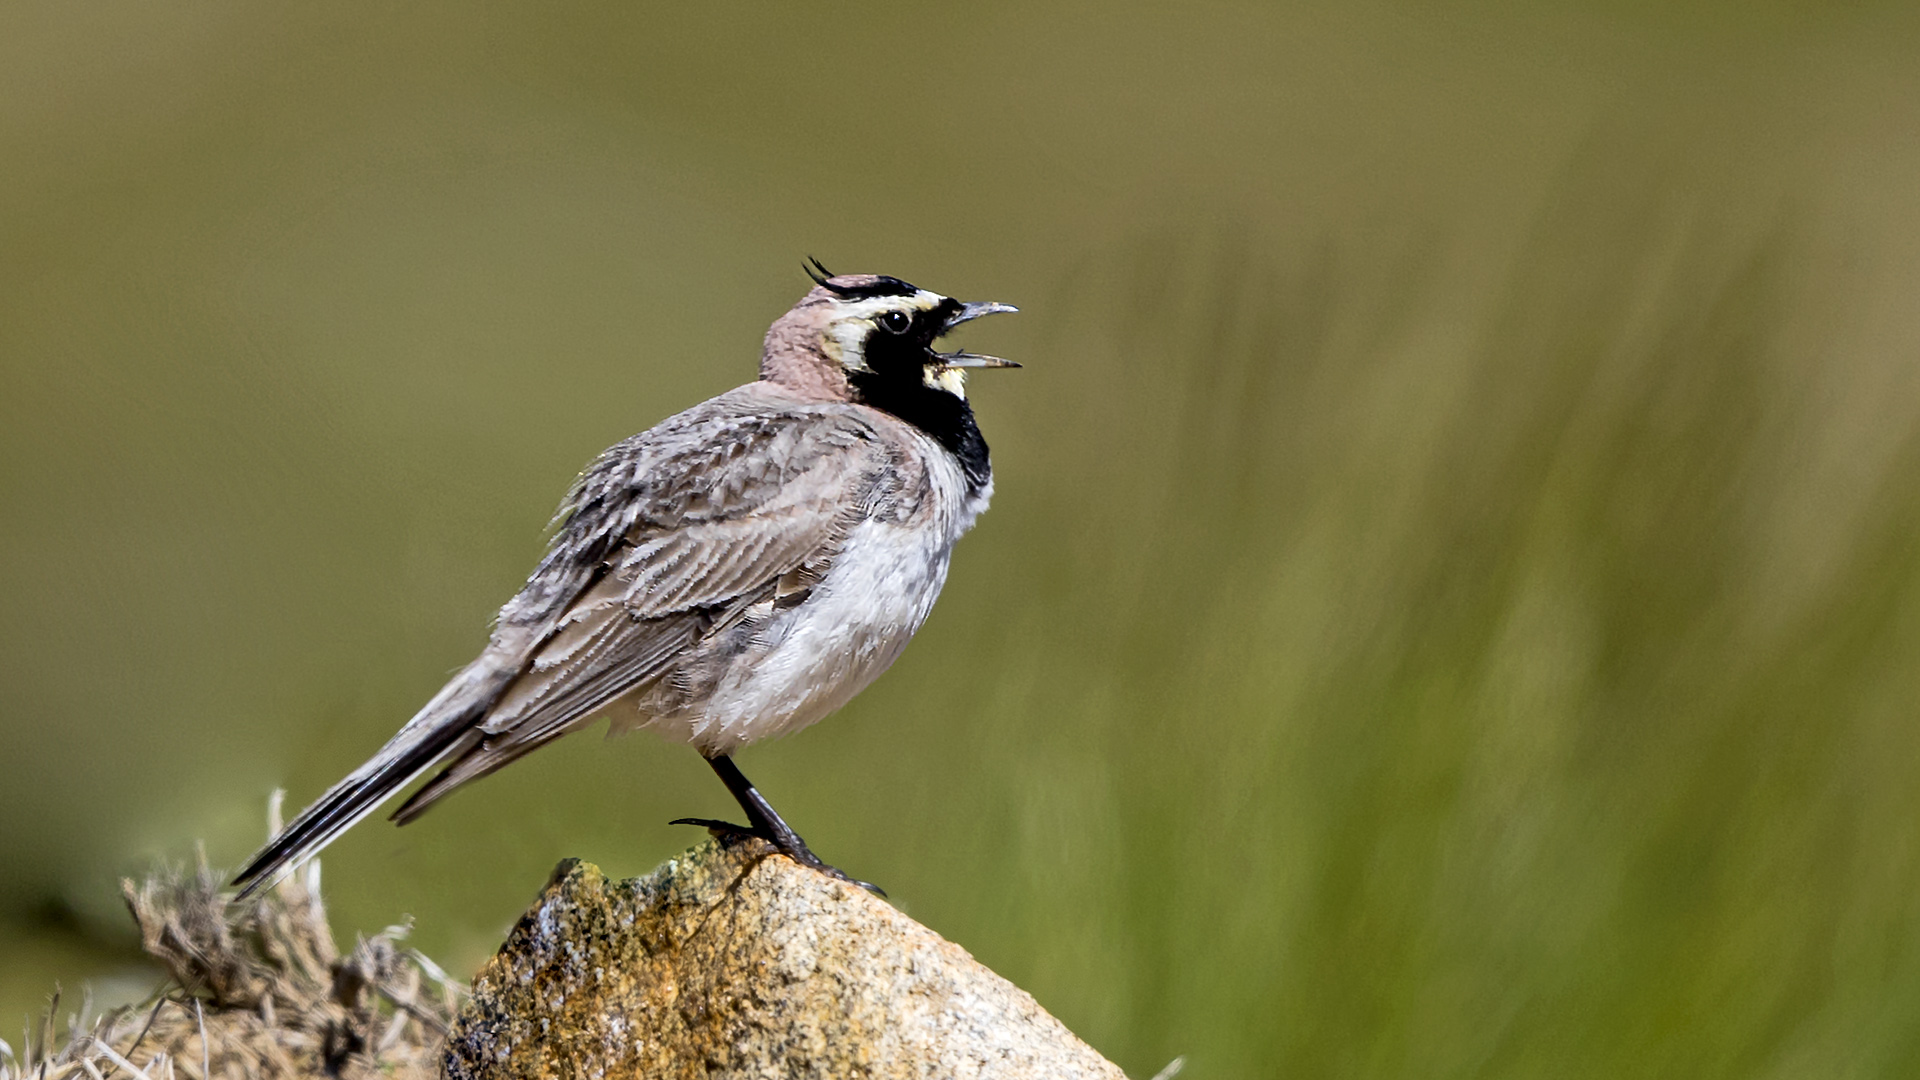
702,541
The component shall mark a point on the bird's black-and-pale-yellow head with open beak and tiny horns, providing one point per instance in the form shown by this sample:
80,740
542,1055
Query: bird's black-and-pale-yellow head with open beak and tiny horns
871,339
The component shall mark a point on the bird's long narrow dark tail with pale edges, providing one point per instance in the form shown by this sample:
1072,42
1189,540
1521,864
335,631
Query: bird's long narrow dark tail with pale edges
444,725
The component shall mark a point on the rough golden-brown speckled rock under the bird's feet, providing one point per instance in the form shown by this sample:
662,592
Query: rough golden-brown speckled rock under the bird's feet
734,962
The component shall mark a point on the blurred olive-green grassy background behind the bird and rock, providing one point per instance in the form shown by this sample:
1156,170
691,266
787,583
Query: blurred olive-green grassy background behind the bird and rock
1452,604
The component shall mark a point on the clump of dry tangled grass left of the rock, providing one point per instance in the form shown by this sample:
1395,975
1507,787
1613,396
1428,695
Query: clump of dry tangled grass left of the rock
254,991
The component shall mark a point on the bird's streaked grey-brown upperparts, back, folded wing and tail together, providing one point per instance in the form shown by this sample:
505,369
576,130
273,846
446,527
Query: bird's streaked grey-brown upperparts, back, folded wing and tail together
661,541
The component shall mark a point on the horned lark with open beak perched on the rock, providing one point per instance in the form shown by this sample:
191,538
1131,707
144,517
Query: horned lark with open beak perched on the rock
731,576
